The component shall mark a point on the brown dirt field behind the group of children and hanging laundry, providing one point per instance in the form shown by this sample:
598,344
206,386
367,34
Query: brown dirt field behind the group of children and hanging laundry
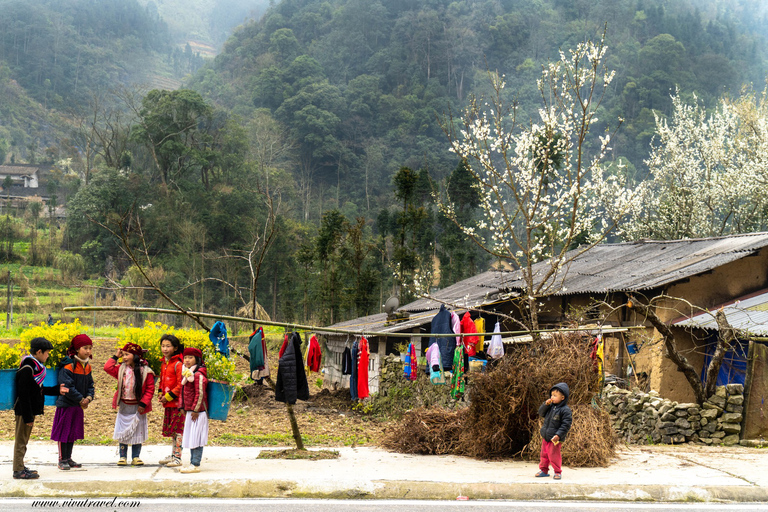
255,418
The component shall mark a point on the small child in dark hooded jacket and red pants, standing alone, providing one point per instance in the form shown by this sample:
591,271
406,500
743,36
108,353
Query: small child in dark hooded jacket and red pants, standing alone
557,422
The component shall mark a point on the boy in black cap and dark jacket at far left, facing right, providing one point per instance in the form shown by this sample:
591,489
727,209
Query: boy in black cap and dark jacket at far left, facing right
29,401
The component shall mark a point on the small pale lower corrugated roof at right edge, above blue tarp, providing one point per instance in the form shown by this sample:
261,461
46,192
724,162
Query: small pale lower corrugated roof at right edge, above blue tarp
749,314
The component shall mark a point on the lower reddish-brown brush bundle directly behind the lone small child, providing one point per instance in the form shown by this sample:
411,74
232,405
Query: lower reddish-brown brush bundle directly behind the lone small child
591,441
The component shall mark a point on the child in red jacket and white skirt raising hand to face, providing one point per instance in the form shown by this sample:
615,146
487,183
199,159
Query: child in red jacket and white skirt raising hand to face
133,400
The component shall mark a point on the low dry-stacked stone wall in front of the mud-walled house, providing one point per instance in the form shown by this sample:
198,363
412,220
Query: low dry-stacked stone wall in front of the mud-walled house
644,418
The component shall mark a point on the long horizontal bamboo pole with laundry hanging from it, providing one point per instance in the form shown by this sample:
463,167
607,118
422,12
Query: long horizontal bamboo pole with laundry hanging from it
314,328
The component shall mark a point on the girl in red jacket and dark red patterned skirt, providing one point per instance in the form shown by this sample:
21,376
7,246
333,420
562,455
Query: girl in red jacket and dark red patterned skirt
169,392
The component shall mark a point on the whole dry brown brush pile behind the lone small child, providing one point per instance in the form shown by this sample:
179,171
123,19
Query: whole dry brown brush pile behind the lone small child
502,417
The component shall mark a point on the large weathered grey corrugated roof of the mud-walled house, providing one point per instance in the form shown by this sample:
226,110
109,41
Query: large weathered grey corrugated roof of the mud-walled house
628,266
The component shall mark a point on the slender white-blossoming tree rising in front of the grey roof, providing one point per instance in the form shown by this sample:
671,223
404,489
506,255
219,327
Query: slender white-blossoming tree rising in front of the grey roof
542,181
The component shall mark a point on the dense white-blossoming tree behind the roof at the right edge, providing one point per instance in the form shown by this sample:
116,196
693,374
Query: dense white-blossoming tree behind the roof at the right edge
708,171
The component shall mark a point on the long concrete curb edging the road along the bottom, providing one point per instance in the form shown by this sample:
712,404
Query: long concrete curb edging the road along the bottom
387,489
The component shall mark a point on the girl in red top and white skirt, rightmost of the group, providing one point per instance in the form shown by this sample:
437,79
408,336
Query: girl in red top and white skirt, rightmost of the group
194,401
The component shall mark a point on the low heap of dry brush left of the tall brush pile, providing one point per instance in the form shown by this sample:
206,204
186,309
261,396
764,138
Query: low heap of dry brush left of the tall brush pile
426,431
